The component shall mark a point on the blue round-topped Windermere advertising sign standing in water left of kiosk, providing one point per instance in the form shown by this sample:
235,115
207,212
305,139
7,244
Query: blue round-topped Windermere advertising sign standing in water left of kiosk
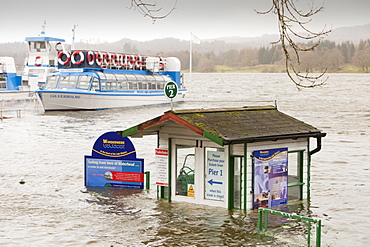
113,163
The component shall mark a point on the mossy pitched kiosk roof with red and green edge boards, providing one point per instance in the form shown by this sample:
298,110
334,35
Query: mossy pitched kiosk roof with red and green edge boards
231,125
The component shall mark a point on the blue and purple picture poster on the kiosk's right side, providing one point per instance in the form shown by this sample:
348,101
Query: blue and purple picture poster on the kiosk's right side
270,177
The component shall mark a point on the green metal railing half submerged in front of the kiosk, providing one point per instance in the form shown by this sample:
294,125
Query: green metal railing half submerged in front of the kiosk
309,221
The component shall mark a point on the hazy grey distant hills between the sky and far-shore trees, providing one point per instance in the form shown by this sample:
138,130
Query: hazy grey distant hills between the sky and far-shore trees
167,45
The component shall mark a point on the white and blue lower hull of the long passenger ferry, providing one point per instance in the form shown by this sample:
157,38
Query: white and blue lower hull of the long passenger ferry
67,100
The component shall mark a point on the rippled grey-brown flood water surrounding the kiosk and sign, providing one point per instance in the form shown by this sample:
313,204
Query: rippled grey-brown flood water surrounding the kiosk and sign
53,208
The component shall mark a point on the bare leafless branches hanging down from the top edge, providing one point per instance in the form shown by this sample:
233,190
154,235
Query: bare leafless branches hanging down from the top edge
289,18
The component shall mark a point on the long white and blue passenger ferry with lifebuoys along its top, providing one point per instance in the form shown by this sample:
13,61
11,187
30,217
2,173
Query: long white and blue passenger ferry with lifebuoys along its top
93,80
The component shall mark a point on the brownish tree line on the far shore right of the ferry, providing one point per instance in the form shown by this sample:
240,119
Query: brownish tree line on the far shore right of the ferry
327,56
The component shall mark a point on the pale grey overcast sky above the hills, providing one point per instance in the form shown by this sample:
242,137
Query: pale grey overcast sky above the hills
112,20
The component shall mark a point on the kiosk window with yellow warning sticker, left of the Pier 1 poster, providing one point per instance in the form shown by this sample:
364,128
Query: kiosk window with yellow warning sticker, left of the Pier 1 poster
185,170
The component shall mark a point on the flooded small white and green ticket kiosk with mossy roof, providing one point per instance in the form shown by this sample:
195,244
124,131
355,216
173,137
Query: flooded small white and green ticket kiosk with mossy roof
236,158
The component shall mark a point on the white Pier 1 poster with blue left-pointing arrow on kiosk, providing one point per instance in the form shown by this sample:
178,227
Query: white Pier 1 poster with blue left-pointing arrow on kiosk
215,176
